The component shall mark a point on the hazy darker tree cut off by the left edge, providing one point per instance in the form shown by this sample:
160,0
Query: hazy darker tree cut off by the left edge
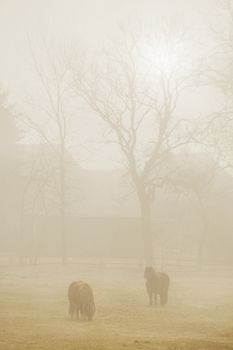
9,167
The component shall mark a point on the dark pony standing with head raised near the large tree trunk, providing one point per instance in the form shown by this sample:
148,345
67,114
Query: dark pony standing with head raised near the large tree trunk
157,283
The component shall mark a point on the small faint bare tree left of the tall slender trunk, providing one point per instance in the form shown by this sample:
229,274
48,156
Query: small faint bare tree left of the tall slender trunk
38,196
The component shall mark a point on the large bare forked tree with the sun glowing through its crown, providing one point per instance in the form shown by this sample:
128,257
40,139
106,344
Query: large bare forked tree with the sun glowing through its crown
134,88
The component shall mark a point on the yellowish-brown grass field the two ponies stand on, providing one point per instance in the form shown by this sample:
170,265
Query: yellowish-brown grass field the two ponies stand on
33,310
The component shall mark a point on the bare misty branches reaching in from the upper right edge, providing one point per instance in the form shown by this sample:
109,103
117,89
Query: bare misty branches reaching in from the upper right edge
217,72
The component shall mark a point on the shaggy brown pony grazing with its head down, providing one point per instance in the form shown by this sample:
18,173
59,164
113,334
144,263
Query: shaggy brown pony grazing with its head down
81,301
